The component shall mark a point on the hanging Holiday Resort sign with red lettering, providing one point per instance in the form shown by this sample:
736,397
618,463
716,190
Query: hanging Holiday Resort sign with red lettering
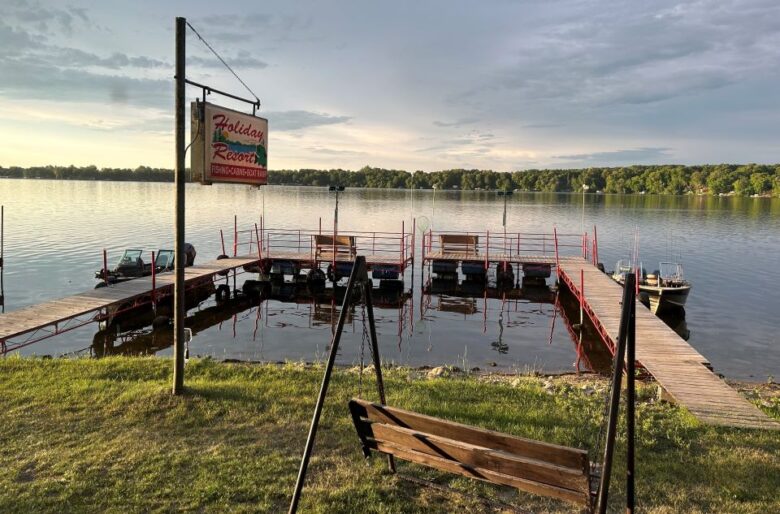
228,146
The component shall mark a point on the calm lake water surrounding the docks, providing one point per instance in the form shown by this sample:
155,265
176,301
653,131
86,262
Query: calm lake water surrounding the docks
55,232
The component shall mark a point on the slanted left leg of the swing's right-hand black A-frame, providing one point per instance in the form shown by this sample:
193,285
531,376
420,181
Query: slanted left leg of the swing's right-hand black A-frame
614,404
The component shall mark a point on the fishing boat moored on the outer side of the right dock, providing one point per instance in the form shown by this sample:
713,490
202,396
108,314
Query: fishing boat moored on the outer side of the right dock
663,290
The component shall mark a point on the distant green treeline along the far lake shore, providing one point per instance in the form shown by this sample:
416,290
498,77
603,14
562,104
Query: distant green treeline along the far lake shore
744,180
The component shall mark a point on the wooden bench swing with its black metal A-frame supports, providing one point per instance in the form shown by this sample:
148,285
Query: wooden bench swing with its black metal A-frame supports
532,466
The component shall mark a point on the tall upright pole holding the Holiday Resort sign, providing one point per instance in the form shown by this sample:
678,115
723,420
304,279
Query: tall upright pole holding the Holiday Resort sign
179,258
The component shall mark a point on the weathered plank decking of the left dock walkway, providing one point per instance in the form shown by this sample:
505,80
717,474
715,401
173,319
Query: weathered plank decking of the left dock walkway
36,317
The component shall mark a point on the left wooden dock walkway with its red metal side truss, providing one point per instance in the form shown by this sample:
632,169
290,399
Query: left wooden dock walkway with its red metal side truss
37,322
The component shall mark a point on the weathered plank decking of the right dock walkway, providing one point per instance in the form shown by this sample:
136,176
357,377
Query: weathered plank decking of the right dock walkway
678,367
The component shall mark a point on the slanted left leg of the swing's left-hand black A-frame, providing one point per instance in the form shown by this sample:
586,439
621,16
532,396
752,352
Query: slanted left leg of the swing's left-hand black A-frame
334,345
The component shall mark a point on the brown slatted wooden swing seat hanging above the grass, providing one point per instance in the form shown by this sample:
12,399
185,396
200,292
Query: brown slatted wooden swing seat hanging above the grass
528,465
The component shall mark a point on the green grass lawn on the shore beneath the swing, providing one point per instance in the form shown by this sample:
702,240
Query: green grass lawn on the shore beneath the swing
107,436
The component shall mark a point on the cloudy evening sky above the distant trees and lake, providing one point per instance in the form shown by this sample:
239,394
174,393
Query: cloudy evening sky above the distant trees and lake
437,84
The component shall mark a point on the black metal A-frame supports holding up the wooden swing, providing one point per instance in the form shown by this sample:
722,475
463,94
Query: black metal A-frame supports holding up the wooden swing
624,359
